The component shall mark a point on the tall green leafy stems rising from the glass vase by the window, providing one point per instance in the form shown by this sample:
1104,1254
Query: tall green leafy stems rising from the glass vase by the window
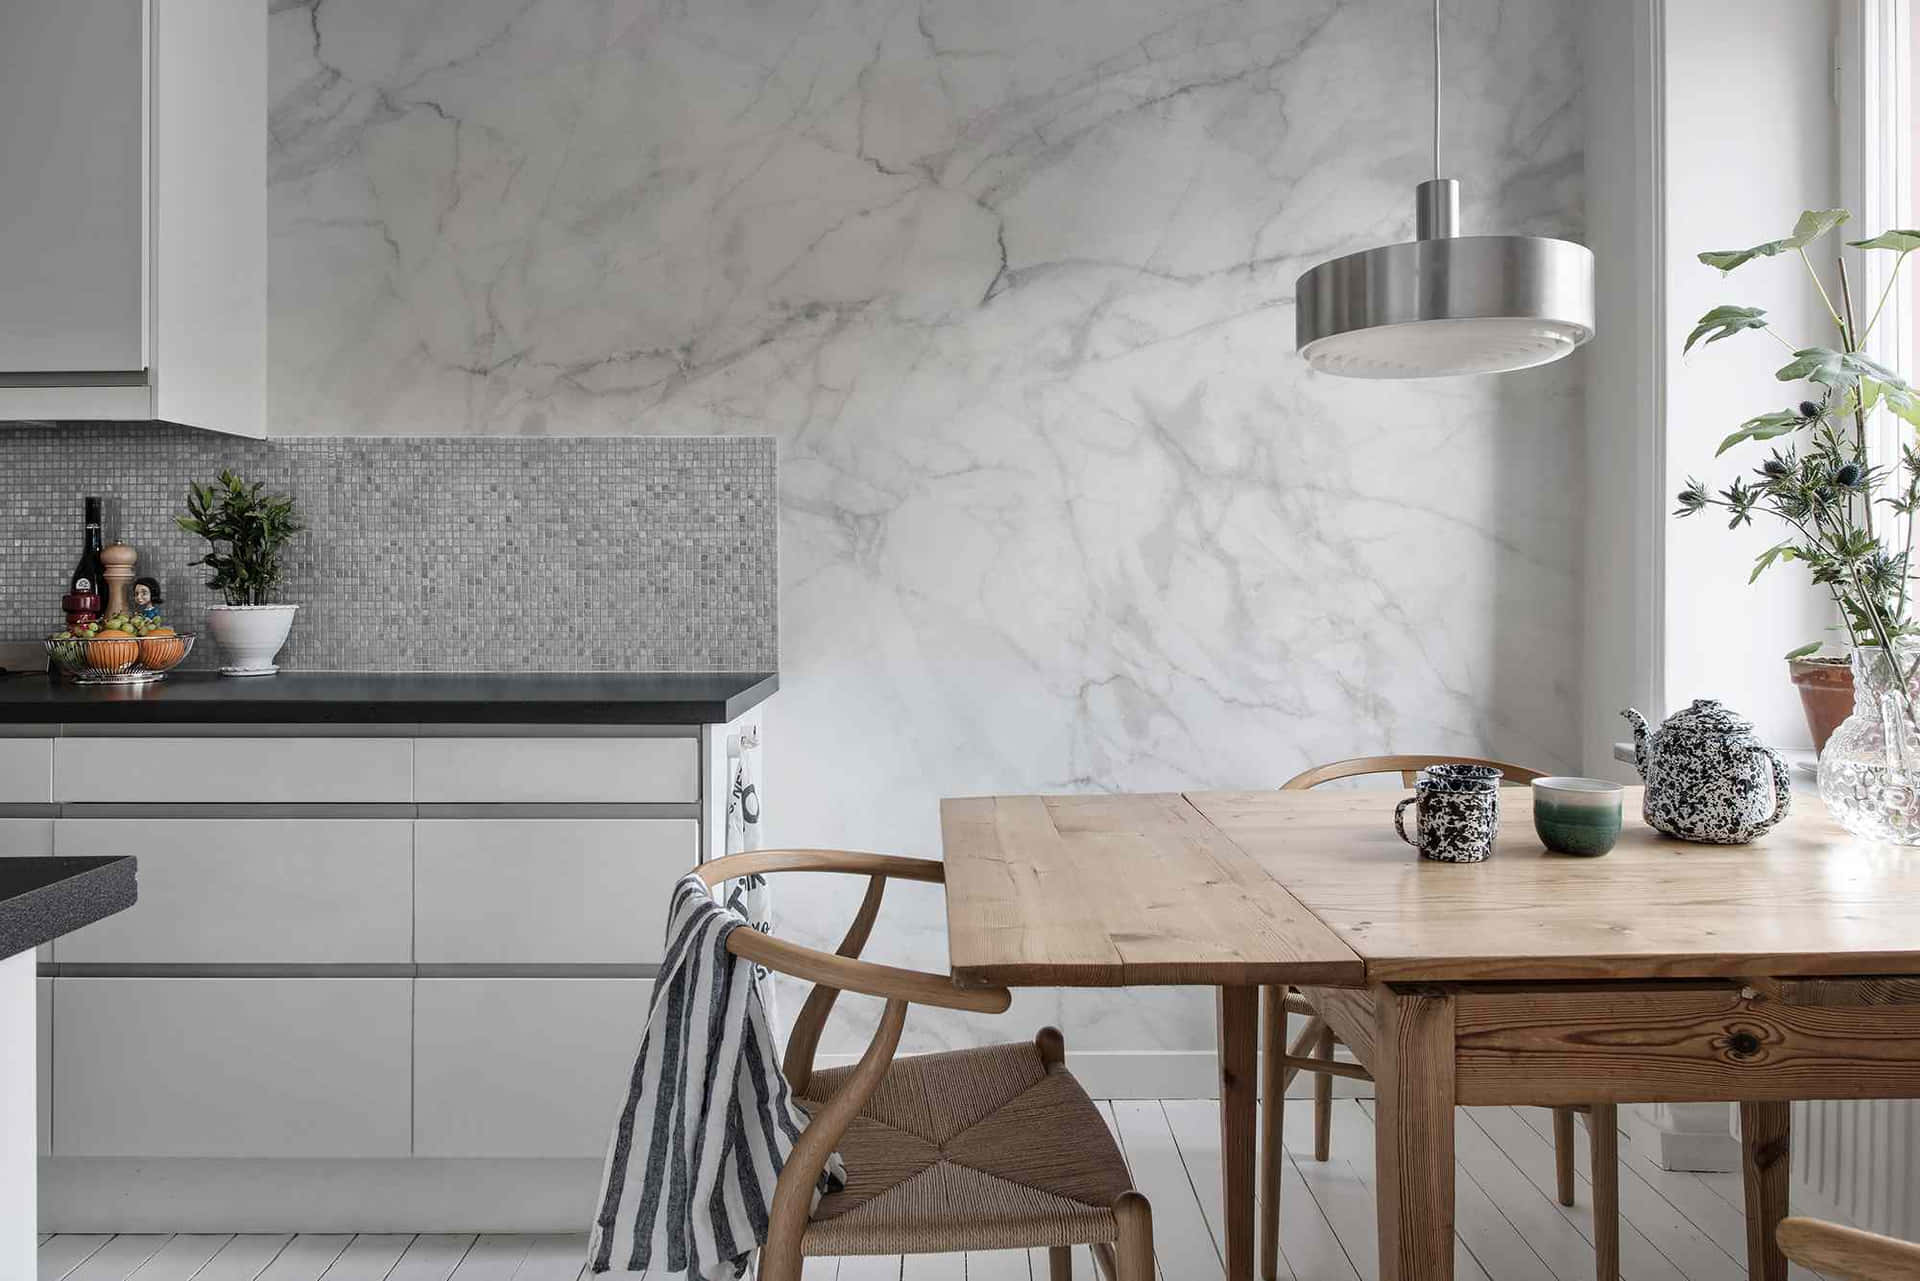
1821,483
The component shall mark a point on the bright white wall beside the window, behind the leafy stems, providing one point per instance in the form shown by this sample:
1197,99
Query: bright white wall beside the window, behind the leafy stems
1752,139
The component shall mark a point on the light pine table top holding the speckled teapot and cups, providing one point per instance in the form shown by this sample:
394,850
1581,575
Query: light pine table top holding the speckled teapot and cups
1314,888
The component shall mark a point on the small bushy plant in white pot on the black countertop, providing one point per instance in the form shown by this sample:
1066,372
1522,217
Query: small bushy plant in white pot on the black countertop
245,531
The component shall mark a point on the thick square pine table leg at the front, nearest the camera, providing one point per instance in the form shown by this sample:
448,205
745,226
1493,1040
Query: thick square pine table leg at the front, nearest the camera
1414,1134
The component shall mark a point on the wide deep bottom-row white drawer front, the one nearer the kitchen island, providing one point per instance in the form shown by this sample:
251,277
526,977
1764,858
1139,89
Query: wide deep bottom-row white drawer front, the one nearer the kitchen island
231,1067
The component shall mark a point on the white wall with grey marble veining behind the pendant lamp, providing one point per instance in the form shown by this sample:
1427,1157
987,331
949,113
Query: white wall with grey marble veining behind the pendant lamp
1013,287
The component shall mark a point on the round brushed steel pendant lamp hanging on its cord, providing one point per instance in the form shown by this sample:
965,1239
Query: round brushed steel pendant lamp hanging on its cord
1445,304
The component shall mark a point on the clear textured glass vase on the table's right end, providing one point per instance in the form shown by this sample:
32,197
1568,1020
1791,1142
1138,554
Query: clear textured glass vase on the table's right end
1871,765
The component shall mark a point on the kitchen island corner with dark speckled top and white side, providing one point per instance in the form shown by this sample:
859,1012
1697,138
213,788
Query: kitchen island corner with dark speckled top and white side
39,902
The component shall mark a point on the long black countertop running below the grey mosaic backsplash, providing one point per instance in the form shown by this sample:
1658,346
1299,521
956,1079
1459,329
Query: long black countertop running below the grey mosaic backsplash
395,698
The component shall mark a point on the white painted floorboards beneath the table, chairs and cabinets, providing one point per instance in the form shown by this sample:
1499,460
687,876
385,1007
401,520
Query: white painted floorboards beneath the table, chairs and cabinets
1675,1226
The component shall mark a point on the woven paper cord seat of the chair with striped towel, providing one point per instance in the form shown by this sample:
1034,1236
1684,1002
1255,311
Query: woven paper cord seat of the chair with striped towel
978,1149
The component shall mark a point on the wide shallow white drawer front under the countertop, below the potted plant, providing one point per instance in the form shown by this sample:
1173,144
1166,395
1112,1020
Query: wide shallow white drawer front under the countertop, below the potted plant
235,771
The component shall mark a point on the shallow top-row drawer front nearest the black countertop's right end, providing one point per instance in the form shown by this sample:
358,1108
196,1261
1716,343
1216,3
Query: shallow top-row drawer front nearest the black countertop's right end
529,771
